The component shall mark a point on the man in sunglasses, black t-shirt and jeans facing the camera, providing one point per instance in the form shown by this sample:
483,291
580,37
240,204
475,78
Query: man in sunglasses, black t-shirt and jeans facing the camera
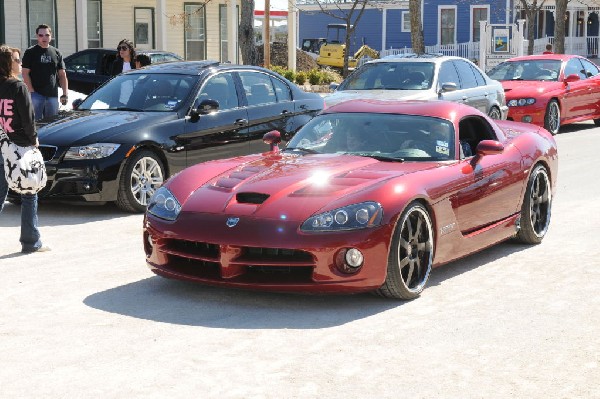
43,72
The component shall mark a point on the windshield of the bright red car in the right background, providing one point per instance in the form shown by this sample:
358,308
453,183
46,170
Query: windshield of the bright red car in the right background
542,70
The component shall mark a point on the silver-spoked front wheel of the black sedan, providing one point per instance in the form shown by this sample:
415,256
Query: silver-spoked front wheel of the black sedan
142,175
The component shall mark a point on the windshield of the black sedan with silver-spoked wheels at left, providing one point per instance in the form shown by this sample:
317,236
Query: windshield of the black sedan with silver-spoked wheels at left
141,92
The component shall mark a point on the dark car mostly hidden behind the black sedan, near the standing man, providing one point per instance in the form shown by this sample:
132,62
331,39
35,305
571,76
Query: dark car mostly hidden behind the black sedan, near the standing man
88,69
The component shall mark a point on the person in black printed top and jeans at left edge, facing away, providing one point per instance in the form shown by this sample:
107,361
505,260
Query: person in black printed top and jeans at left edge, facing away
17,121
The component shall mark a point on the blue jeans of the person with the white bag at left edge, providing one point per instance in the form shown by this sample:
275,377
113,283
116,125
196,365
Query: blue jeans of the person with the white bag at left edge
30,235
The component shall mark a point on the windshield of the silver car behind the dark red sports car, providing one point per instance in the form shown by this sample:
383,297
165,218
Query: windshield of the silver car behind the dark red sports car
391,76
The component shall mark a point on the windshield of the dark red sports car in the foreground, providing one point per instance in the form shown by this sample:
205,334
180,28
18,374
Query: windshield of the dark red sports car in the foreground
387,137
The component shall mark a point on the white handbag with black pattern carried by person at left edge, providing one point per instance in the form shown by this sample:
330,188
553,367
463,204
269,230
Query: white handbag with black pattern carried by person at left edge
24,167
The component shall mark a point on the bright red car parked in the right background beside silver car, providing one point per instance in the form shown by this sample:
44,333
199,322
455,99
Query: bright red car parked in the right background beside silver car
550,90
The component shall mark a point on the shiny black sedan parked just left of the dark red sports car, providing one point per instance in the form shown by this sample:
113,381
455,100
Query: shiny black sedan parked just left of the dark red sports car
128,136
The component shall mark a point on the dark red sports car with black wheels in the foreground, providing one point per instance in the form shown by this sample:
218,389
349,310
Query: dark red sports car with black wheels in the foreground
368,196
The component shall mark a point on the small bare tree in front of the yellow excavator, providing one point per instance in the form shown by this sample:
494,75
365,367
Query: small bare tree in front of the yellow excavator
350,15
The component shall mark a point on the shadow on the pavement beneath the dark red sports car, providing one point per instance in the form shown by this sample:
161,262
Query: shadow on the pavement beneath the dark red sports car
186,303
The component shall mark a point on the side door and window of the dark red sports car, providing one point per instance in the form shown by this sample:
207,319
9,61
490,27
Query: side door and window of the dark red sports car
489,189
